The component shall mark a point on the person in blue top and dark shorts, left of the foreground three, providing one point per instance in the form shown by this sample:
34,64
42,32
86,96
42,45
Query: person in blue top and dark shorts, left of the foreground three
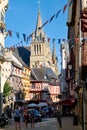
17,118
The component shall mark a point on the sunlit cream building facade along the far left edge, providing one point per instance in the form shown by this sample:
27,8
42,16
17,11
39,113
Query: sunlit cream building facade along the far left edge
3,8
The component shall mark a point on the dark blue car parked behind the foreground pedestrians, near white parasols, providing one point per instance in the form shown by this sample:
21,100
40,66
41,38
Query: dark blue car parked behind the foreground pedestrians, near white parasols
37,115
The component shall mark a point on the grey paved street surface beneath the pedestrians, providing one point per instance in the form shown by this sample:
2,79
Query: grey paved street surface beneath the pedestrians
48,124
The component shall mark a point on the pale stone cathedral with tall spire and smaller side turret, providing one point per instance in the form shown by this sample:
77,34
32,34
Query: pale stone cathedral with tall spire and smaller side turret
41,55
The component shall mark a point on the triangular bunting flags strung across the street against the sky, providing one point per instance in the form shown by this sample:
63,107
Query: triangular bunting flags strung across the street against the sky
27,38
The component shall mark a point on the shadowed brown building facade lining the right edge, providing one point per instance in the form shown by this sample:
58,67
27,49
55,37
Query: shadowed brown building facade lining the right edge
77,33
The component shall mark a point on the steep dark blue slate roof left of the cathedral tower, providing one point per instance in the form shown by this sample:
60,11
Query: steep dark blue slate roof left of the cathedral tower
23,55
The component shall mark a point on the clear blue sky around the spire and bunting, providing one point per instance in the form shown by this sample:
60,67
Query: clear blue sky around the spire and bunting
21,17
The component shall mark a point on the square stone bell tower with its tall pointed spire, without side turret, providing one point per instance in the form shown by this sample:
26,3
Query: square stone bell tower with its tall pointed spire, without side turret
40,47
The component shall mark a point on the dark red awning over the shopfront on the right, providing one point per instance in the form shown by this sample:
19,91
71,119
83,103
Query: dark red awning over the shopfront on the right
67,102
